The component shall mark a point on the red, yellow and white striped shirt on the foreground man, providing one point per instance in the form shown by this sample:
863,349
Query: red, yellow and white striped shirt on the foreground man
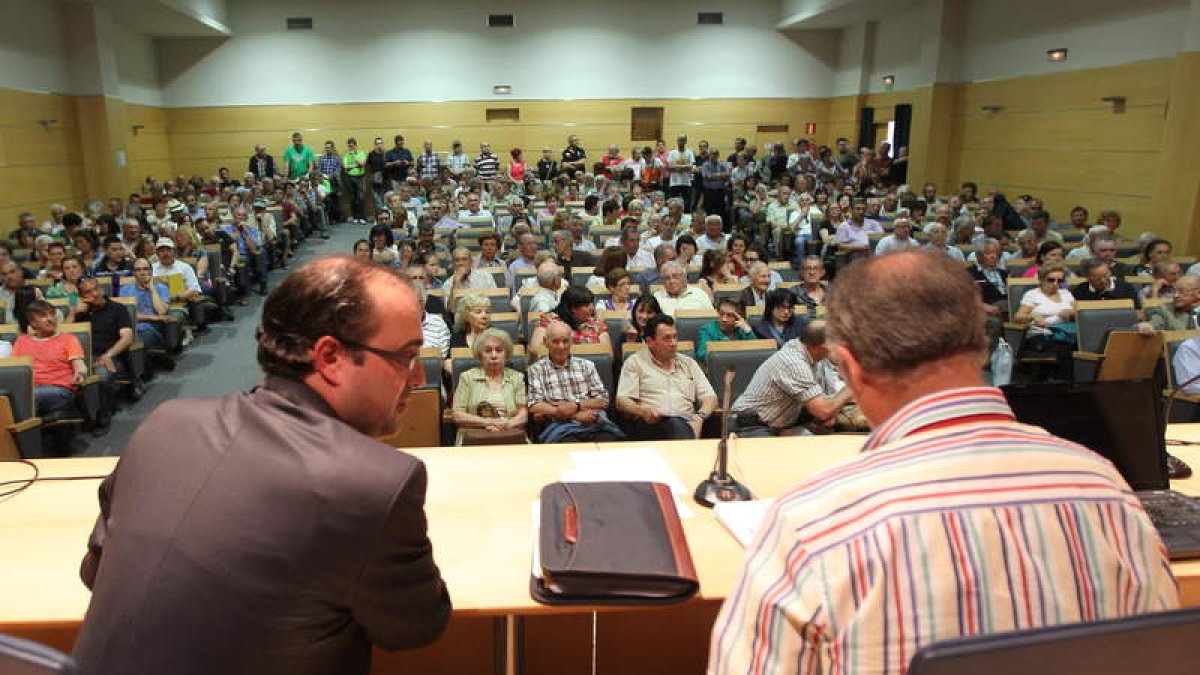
957,522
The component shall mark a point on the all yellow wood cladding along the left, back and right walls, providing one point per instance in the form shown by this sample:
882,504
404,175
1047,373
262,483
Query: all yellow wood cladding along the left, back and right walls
1053,136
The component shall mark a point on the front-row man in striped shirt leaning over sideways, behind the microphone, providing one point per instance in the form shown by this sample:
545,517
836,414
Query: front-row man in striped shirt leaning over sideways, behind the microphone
785,395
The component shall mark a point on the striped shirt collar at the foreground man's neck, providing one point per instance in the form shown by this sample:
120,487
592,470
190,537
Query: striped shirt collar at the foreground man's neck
940,409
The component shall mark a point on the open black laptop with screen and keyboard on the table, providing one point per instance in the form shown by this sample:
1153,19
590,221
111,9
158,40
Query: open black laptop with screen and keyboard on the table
1124,422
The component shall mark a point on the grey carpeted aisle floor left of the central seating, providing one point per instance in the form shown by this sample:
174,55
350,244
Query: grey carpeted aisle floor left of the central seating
220,363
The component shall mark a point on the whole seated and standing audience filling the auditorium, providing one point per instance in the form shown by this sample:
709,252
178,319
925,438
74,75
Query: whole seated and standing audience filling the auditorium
521,262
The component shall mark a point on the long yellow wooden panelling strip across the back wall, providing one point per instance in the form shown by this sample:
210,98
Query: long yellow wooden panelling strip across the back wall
205,139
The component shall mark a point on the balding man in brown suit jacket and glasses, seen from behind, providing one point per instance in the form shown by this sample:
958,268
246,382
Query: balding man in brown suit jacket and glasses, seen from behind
268,533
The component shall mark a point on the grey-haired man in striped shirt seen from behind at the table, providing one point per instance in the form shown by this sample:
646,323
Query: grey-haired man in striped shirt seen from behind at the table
949,481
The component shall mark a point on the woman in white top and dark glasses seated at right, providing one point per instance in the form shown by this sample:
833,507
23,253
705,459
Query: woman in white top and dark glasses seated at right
1049,314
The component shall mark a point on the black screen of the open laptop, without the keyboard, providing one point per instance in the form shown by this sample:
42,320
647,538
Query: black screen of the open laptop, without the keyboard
1120,421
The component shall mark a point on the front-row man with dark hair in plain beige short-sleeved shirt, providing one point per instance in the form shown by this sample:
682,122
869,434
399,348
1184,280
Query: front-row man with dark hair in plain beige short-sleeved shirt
664,395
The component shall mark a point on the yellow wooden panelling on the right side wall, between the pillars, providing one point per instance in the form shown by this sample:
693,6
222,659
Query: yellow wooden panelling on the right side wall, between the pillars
1055,139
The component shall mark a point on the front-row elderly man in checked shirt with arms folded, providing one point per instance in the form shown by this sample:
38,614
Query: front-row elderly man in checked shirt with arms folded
566,392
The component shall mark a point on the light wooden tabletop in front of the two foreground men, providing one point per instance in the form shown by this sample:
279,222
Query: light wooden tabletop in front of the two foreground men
479,509
